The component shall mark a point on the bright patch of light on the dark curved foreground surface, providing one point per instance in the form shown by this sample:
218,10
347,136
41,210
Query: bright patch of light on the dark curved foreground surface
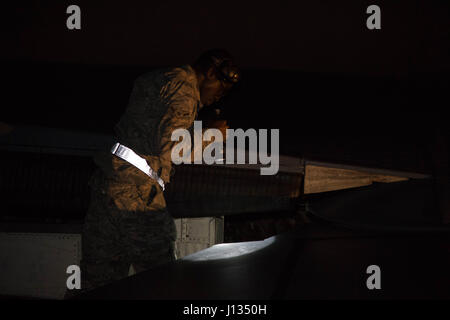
230,250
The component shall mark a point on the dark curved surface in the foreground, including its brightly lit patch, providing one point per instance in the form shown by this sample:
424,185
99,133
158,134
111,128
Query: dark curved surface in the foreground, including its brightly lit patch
326,259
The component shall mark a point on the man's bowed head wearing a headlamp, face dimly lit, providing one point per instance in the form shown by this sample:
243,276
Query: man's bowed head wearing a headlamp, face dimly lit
216,75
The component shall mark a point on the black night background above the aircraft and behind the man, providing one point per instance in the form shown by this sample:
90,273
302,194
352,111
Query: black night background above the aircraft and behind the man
336,90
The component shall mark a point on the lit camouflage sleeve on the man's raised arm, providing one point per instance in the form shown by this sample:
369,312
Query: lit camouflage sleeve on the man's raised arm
179,96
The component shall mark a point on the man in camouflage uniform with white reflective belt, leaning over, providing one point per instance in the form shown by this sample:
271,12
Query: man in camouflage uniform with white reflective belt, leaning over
127,221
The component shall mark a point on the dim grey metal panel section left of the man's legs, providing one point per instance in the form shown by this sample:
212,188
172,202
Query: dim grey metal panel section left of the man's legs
35,264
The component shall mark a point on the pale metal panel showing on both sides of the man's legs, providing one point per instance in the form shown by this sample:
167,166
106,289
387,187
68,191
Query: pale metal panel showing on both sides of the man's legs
35,264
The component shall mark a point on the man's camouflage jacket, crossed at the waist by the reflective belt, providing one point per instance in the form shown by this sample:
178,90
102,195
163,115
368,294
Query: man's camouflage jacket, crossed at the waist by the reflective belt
161,101
